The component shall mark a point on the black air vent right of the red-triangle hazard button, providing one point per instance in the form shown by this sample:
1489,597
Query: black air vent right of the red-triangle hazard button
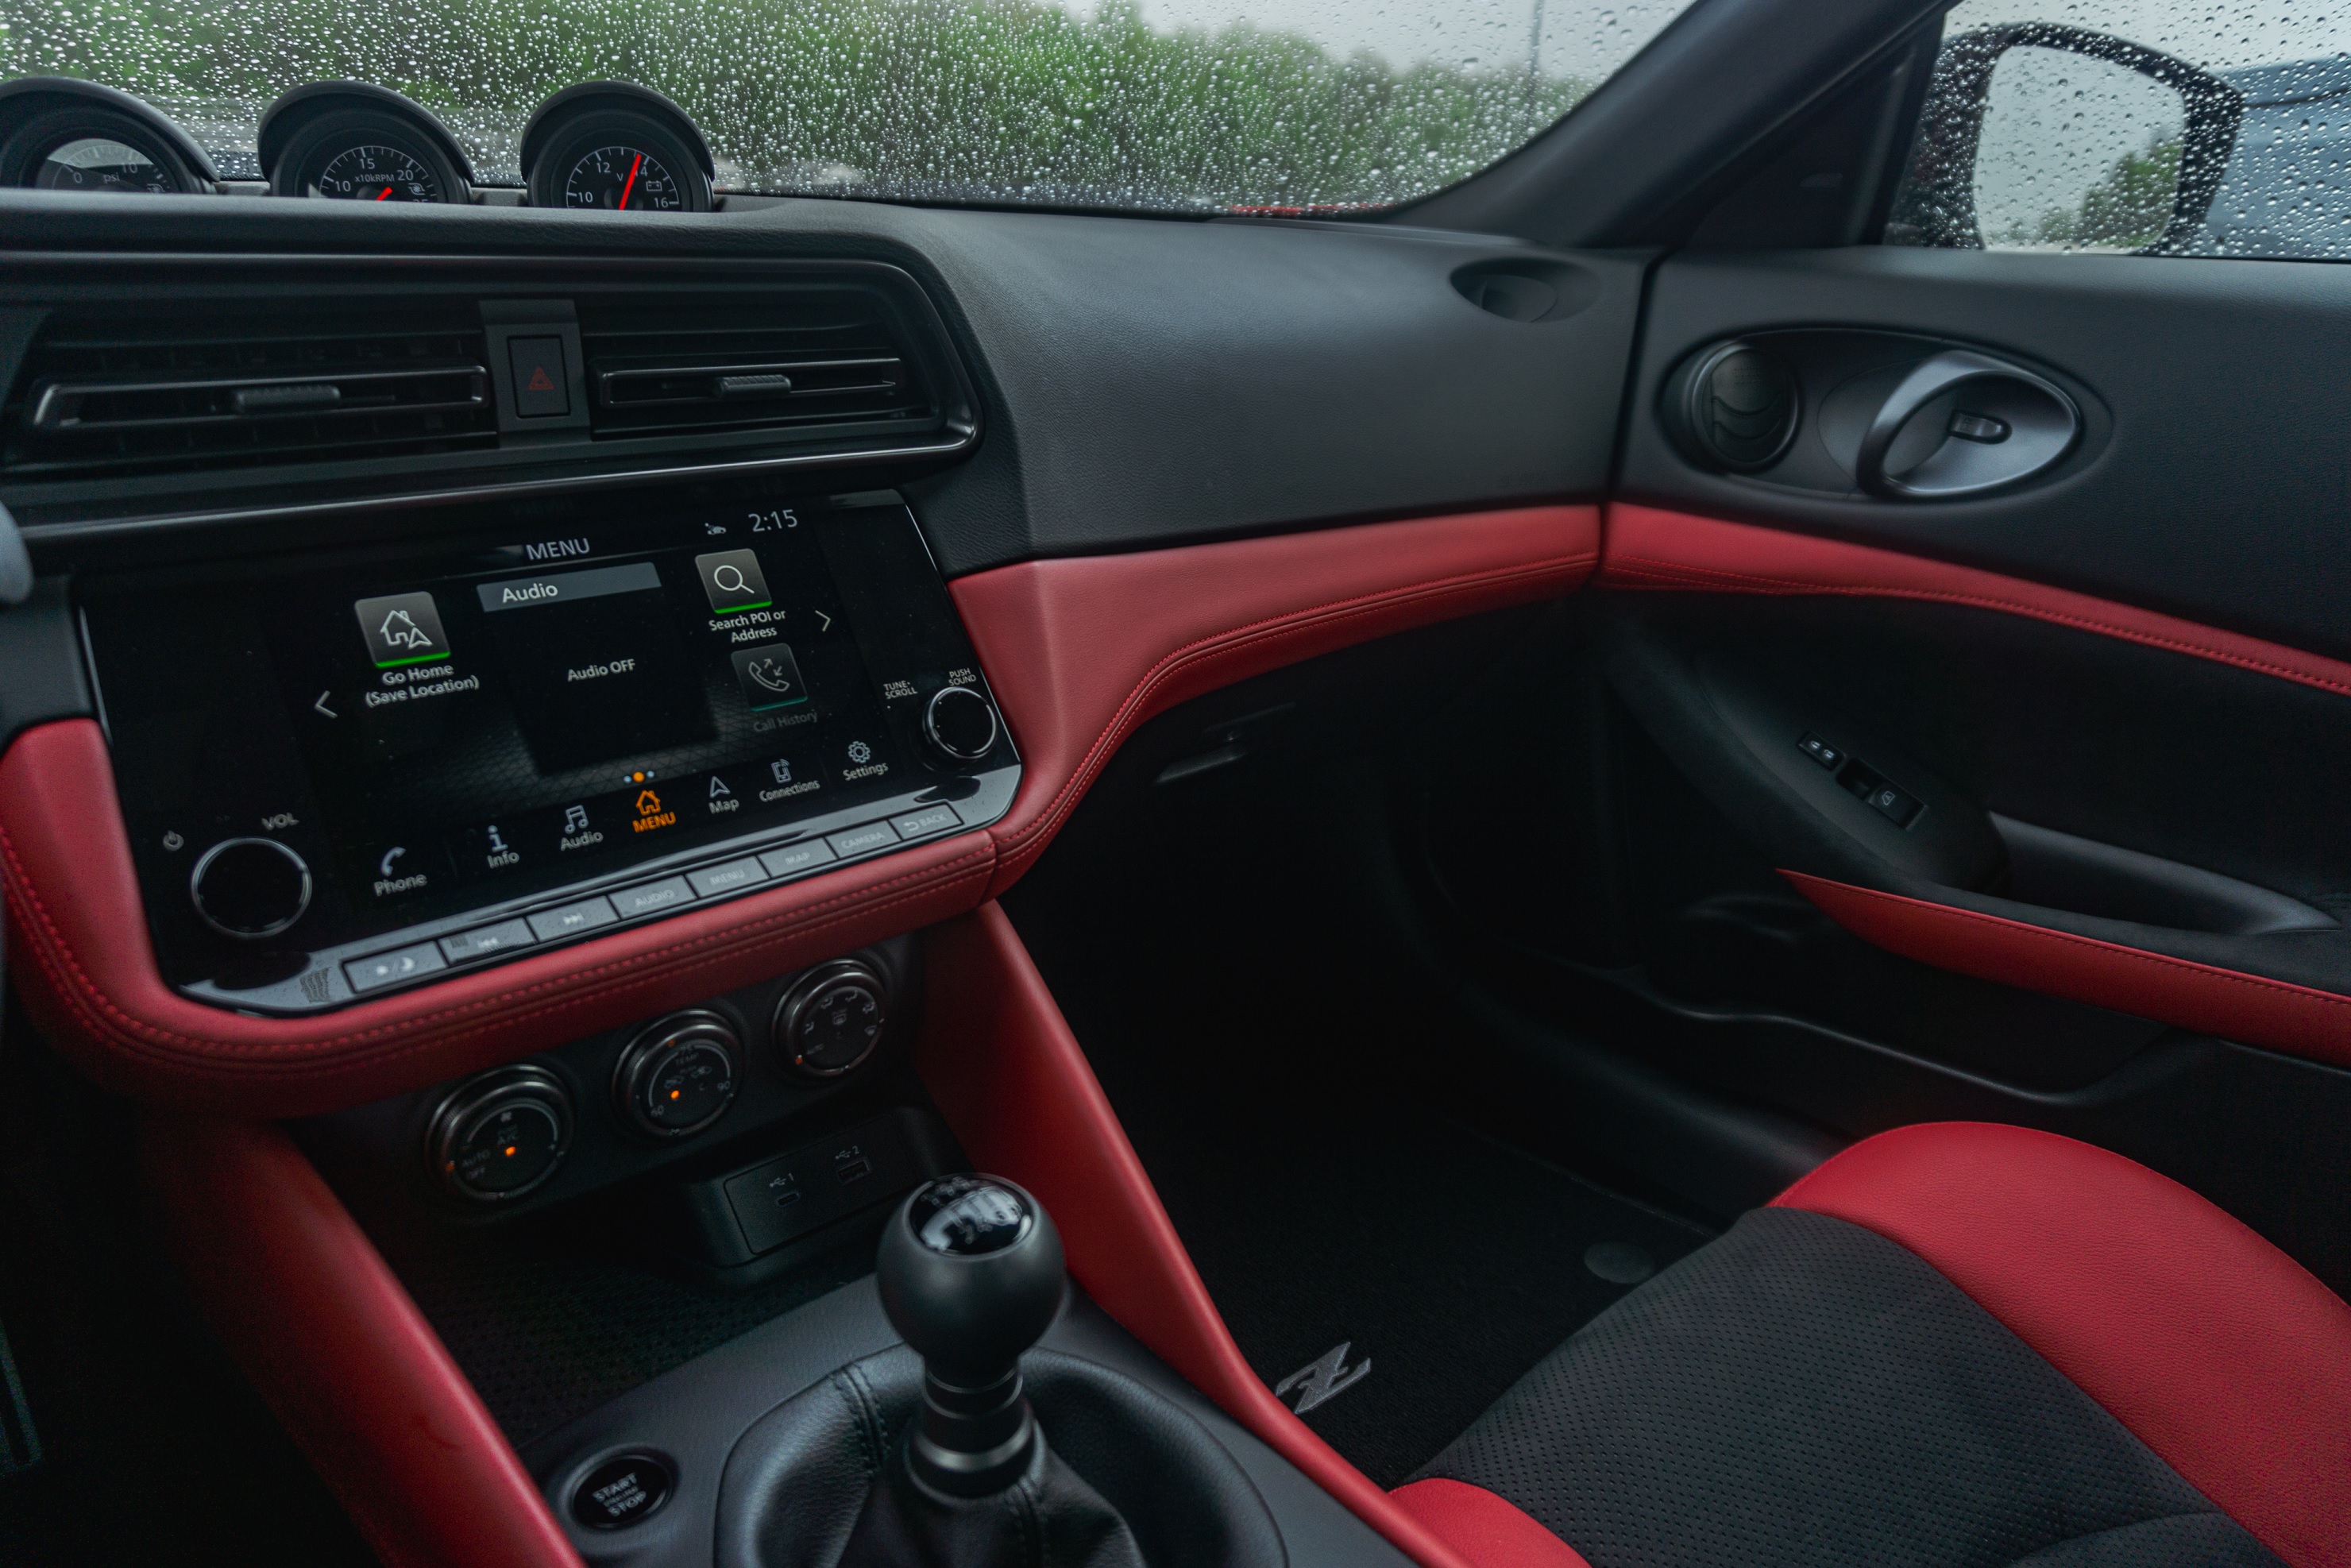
817,366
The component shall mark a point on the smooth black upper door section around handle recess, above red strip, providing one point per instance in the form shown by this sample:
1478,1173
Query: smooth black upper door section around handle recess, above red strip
2216,492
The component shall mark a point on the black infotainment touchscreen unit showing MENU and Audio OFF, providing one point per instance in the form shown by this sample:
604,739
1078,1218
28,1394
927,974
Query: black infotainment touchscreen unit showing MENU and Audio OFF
453,732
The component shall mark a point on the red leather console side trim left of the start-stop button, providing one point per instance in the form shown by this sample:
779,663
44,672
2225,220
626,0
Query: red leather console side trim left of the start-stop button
342,1355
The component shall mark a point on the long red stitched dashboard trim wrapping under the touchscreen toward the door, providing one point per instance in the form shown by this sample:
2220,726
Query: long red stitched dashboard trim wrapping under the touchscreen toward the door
1078,652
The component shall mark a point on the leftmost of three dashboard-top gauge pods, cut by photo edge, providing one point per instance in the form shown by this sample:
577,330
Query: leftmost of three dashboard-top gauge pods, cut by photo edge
65,135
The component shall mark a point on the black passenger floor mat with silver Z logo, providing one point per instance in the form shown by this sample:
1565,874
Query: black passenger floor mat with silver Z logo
1442,1261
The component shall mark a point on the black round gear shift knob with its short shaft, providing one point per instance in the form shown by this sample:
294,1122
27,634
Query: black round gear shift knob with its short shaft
972,1275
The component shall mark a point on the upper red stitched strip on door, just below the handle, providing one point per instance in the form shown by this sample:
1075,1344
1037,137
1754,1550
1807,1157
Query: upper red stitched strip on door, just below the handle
1652,549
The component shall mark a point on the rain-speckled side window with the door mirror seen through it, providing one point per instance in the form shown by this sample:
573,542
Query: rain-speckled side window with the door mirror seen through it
2138,126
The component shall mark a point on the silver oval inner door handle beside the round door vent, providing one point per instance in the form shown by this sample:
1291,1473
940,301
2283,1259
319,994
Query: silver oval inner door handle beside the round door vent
1964,424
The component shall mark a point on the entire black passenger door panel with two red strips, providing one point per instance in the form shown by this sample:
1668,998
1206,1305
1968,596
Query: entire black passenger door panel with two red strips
2112,702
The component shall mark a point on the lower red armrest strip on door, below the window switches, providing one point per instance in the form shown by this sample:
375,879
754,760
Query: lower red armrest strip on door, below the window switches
2225,1003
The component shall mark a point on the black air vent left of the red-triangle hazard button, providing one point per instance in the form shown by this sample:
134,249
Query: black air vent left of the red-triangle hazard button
149,398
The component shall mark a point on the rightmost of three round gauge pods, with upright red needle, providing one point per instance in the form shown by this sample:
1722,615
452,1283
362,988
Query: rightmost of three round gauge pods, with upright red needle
615,147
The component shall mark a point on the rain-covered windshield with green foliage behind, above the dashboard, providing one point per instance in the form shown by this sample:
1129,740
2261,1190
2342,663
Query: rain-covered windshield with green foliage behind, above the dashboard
1170,107
